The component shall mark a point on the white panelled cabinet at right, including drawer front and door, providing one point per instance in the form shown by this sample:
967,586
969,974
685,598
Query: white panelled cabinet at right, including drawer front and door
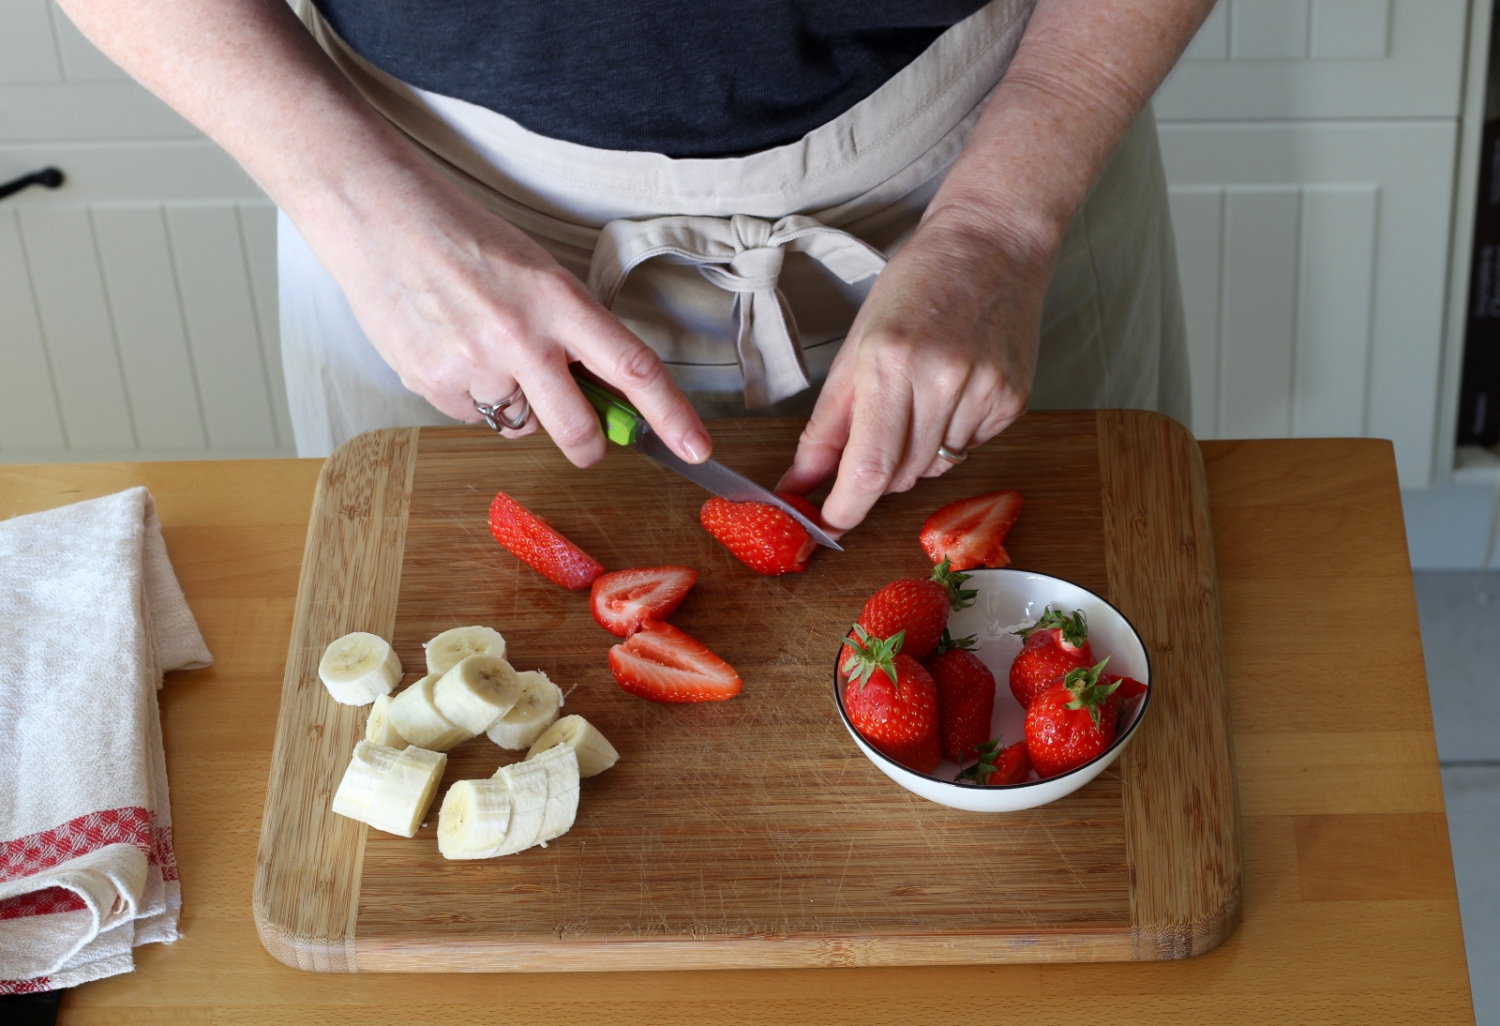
1312,152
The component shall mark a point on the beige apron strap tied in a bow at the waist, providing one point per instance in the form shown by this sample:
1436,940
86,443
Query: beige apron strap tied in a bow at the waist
740,256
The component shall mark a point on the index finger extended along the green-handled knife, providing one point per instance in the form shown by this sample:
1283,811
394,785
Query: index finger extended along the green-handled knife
617,356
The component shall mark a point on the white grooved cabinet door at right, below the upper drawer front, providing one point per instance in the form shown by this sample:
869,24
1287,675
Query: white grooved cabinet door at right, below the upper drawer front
1315,265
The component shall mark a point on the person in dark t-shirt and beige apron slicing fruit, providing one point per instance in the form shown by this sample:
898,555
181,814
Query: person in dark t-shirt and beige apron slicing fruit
940,212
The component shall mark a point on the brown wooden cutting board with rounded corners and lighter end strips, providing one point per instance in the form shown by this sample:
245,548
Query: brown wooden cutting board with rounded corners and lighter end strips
751,833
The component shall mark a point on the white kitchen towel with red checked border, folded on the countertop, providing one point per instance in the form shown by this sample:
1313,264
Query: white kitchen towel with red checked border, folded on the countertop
91,619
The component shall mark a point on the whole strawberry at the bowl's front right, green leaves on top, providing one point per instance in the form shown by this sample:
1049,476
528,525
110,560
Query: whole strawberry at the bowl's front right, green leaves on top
1072,722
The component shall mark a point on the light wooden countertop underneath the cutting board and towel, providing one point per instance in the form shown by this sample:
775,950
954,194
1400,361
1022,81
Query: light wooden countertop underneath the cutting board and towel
1351,908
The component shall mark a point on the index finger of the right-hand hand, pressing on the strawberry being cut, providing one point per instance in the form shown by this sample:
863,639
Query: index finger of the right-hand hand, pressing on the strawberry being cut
878,430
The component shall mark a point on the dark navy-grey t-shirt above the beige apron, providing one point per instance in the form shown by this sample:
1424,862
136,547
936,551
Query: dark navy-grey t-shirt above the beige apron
679,77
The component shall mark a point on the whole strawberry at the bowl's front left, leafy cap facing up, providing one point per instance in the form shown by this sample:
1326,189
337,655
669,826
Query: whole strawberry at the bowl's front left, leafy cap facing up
892,701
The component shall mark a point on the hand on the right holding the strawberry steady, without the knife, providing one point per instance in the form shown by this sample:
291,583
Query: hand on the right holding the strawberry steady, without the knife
943,353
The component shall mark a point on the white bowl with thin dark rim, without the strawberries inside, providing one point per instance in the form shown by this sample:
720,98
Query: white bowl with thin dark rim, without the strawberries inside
1009,599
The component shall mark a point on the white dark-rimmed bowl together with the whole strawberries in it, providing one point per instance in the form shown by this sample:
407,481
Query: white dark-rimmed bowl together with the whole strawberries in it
994,689
